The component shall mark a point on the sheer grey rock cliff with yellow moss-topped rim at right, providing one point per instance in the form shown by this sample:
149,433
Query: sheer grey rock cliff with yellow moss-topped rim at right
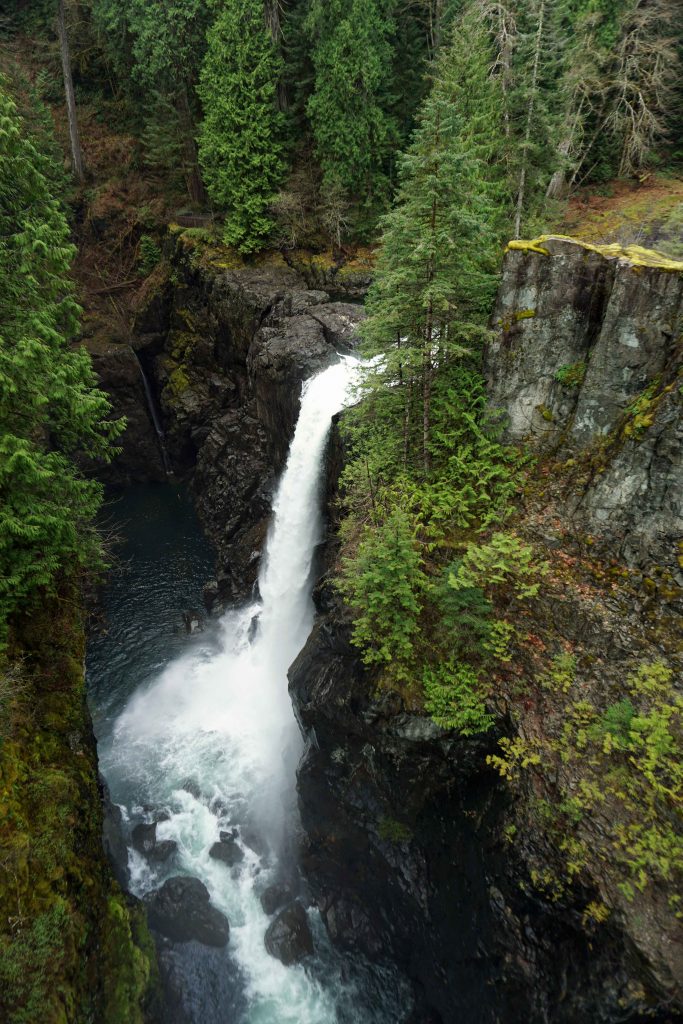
586,360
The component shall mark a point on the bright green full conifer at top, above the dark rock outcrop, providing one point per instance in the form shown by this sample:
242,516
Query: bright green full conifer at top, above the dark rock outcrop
241,138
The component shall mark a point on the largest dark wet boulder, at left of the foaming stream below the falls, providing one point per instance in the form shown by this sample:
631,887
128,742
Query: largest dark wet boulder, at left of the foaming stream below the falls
182,911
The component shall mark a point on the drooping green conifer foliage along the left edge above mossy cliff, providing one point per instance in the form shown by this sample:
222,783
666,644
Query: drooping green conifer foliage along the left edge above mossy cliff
50,407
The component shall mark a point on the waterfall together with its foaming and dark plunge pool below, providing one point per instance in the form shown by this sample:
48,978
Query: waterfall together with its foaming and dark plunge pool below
197,735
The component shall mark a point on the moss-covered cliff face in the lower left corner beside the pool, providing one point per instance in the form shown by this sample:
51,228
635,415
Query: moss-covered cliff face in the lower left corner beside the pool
72,949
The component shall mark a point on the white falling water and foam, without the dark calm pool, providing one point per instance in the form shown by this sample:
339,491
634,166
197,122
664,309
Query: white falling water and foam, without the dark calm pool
205,742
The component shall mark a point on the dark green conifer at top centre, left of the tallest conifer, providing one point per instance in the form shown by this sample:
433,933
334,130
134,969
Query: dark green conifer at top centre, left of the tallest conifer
354,131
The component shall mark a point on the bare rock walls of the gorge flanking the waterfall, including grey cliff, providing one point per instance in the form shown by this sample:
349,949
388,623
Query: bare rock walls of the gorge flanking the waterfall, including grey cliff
416,851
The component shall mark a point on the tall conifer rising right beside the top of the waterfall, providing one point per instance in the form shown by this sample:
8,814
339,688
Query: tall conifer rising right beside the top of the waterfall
437,272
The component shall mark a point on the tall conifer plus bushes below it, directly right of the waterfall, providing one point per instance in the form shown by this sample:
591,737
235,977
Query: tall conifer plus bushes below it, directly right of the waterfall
422,449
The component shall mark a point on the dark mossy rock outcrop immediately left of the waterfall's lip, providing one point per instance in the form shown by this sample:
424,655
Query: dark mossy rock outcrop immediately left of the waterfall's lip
228,351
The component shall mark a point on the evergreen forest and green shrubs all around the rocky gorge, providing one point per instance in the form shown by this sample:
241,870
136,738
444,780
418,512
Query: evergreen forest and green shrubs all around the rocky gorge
421,138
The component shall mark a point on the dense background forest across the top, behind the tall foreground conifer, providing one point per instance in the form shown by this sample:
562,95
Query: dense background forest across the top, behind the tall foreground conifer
315,101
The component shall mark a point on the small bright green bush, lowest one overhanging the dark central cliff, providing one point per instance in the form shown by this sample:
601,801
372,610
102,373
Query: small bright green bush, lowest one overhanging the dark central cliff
454,699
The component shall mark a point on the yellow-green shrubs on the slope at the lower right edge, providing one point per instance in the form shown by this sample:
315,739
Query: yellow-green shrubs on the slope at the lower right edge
624,763
